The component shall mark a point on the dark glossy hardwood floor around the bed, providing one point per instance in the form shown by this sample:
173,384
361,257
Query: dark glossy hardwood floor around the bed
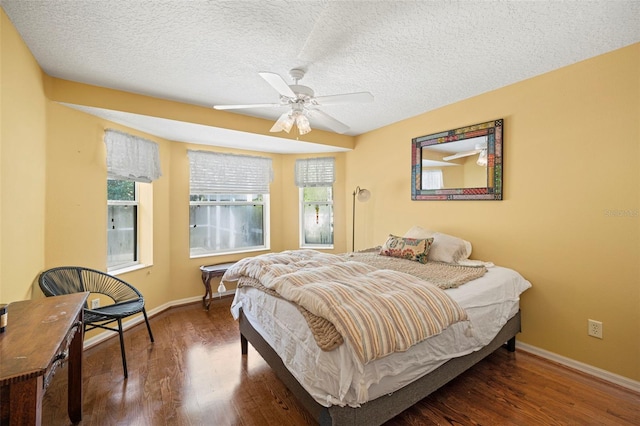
194,375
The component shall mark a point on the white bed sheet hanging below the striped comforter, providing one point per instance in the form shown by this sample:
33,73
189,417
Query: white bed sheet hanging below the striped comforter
338,378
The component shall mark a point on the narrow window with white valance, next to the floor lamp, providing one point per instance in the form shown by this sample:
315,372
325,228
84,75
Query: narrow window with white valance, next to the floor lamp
315,177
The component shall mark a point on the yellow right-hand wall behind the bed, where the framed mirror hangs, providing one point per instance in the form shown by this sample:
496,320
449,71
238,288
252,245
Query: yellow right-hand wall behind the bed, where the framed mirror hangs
572,163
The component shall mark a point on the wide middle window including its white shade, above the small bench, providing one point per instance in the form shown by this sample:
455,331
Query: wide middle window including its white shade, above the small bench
229,203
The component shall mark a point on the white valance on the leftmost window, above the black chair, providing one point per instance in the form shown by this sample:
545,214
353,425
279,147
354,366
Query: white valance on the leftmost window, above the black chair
131,157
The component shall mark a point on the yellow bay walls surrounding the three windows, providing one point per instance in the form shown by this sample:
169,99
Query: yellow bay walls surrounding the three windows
76,206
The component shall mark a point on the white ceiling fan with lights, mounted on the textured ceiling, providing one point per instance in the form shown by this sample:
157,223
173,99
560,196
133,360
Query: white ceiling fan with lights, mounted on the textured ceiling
302,103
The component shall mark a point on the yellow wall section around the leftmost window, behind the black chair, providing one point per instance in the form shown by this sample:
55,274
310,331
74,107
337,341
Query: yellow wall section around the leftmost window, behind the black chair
76,201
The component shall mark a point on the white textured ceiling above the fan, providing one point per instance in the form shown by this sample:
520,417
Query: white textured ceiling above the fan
413,56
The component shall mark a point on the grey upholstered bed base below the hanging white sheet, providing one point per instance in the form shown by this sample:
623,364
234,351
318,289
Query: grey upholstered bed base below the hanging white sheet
383,408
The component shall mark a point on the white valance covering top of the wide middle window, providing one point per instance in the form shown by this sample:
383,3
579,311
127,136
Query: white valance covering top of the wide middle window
216,173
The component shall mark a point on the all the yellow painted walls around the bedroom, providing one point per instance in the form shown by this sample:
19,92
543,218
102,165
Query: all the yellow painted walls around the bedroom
556,225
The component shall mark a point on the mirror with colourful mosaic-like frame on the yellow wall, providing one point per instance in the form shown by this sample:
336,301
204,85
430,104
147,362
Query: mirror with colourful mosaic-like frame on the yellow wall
458,164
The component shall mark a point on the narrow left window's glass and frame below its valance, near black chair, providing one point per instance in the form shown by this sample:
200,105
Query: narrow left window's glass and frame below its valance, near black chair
122,224
